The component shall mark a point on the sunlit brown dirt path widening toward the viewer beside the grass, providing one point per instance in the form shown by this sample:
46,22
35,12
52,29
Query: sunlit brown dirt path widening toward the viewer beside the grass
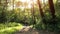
27,30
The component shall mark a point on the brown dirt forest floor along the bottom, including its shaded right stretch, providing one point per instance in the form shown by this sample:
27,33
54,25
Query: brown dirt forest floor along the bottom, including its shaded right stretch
29,30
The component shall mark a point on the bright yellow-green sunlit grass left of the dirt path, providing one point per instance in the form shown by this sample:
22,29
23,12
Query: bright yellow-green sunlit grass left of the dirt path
10,28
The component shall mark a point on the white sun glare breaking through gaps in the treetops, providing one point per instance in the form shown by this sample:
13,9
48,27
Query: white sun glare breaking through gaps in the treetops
29,3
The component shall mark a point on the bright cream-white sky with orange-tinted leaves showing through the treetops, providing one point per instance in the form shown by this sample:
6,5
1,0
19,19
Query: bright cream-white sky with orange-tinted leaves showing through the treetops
25,3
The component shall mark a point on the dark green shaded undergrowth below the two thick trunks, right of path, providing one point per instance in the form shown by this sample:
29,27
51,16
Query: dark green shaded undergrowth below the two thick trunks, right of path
50,25
